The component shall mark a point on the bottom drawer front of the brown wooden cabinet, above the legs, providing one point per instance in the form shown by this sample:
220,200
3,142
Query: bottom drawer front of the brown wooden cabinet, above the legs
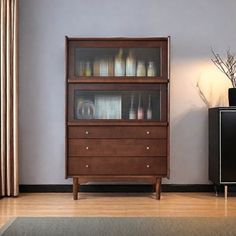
117,166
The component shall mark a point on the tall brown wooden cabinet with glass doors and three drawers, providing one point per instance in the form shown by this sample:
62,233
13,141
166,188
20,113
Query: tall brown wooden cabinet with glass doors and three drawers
117,109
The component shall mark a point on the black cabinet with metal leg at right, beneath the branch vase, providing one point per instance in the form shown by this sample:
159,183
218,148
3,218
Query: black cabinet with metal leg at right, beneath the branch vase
222,146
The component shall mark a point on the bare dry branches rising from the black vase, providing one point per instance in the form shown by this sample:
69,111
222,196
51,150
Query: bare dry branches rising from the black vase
227,66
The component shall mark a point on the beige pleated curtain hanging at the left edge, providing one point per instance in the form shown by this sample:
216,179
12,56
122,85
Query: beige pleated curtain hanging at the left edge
9,98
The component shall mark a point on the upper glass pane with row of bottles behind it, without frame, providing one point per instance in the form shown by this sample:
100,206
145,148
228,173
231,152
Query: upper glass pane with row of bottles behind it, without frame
117,62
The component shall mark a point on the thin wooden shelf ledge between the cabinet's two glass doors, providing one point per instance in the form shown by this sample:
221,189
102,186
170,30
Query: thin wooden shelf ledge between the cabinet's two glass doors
112,79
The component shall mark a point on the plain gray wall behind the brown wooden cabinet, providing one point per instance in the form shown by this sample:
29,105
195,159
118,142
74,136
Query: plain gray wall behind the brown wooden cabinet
194,26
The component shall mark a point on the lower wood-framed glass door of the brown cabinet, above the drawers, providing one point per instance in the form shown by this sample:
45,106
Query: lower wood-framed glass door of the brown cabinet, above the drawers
127,103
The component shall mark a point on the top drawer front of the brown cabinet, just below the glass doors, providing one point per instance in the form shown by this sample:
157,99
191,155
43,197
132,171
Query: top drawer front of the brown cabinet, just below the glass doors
146,132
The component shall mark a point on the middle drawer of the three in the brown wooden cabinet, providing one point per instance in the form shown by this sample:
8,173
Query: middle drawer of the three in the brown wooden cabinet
117,147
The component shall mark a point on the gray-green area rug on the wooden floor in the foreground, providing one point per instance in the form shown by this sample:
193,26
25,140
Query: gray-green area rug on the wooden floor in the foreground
120,226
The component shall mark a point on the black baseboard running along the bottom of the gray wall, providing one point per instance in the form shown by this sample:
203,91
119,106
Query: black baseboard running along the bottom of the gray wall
129,188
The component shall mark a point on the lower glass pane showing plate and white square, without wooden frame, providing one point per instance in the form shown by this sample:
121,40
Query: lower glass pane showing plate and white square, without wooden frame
125,105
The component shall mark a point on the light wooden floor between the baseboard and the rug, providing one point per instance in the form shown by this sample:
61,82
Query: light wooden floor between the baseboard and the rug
117,204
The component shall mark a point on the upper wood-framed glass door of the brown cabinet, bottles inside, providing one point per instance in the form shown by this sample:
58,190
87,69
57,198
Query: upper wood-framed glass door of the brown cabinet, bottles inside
118,58
